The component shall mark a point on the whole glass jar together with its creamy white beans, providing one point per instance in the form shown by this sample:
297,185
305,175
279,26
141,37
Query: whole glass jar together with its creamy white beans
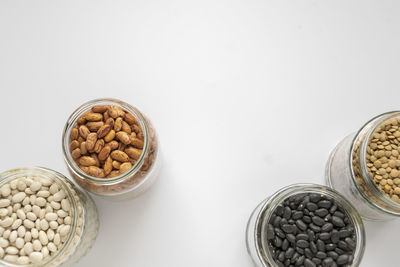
45,219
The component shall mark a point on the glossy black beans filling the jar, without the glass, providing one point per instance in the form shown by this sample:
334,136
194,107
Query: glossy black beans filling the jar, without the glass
311,230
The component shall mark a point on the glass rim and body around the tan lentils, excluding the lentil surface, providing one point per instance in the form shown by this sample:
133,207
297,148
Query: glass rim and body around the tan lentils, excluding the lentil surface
347,172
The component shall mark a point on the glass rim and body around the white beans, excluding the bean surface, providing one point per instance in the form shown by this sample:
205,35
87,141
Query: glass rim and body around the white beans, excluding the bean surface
84,223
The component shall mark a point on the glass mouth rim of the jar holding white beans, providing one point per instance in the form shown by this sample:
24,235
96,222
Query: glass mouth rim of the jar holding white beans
55,176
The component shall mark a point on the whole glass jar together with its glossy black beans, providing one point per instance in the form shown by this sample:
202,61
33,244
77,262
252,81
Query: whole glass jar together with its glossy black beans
305,225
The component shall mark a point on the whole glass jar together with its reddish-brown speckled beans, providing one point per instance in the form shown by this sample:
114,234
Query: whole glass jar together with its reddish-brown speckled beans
111,149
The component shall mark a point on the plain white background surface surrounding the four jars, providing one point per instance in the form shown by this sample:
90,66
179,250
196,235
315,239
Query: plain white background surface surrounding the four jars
247,96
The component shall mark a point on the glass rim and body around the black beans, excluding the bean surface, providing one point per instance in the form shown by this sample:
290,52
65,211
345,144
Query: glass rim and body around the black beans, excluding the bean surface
256,240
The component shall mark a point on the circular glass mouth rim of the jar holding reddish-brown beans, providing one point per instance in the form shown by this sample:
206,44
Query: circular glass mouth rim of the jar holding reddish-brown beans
72,120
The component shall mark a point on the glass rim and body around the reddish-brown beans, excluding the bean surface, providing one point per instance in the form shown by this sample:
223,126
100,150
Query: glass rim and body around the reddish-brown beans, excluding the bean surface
129,184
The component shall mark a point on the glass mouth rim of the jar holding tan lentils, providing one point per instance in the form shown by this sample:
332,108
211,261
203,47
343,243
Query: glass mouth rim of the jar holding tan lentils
369,127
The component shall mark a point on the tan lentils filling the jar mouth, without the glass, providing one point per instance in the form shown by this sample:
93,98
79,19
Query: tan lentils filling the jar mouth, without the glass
383,158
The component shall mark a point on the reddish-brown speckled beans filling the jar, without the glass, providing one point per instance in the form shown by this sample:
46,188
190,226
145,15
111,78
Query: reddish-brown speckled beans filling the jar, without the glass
106,142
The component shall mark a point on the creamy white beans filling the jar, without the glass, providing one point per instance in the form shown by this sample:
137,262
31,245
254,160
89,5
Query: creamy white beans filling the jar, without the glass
36,218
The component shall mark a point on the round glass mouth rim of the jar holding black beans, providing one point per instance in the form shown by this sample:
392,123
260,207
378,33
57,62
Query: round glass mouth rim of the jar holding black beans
274,200
